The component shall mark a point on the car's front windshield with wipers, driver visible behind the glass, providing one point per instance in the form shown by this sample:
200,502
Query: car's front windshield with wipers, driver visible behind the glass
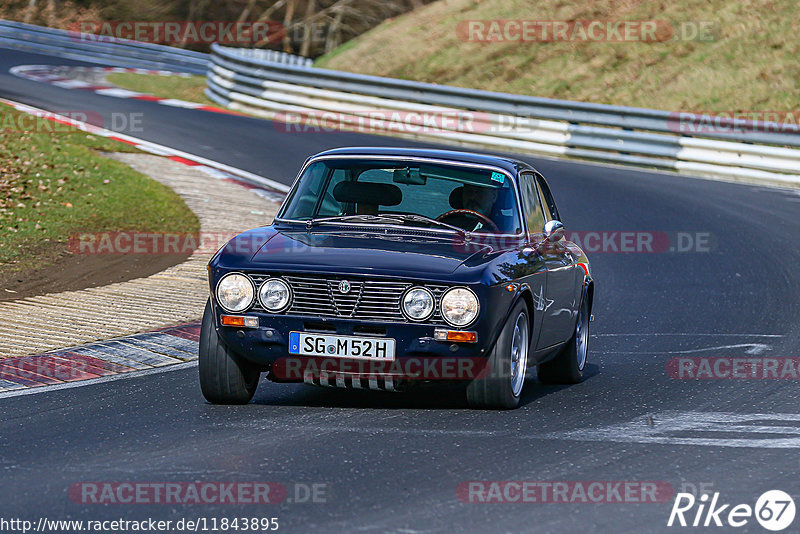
370,191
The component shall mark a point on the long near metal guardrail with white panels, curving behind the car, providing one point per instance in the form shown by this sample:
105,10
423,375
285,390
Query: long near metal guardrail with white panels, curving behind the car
637,136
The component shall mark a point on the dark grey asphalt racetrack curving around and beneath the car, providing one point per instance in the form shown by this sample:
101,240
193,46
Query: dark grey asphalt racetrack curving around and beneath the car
392,462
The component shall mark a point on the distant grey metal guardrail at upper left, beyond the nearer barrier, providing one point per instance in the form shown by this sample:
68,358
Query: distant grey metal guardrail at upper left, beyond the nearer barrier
118,52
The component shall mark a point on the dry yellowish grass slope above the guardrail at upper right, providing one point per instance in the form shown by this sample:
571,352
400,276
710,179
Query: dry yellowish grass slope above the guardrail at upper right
724,55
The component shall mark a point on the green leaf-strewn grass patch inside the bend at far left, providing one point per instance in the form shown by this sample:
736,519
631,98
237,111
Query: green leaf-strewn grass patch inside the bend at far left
54,184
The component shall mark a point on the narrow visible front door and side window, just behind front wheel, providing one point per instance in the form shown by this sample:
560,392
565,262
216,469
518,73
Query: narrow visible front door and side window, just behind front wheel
534,254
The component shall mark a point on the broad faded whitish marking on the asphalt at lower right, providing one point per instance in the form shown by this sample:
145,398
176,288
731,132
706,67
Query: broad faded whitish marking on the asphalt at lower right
711,429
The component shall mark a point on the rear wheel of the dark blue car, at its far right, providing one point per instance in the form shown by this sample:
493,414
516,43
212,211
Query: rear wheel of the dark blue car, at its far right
568,365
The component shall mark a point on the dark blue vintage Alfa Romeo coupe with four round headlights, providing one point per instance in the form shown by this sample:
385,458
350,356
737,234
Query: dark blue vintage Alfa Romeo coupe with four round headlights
391,268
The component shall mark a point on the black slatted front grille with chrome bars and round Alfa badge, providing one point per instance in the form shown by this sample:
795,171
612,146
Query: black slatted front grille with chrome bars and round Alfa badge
367,300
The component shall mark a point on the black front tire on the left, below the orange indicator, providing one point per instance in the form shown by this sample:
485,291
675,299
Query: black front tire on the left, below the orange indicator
225,377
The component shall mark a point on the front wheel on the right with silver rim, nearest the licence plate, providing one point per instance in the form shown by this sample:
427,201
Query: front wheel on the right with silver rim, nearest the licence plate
496,390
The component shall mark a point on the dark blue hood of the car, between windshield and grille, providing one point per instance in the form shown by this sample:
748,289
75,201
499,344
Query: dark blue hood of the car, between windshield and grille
364,252
